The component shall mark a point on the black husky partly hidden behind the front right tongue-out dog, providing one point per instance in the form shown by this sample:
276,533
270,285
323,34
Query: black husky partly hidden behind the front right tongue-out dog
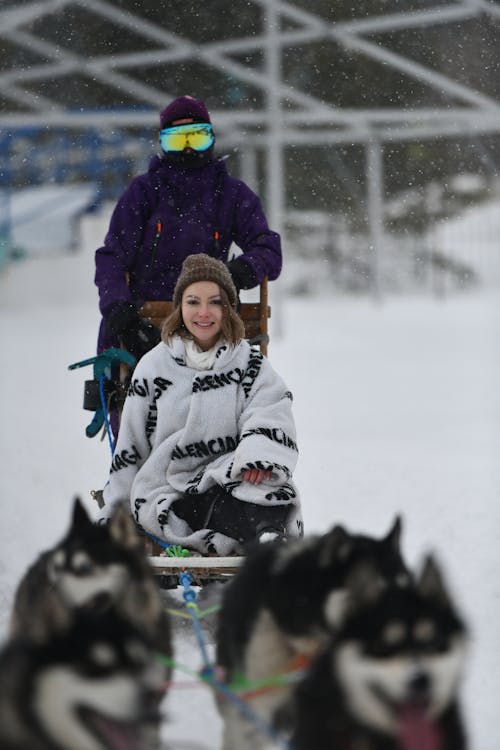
282,605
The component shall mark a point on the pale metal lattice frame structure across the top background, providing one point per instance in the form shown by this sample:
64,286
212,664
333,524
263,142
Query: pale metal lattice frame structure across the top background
284,25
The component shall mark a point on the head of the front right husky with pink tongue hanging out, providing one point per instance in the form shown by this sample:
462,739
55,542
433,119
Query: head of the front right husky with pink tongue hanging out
399,654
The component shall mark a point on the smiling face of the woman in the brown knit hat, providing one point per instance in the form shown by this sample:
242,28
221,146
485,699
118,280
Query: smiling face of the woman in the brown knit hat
202,312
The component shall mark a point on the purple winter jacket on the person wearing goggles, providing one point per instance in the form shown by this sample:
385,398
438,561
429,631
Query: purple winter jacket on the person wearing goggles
169,213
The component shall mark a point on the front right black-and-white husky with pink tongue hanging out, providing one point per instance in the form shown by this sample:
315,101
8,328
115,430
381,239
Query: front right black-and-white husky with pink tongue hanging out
390,677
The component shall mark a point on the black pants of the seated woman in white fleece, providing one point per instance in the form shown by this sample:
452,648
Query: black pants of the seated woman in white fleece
219,511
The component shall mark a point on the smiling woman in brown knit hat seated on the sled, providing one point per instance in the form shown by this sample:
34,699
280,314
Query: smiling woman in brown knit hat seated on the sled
206,447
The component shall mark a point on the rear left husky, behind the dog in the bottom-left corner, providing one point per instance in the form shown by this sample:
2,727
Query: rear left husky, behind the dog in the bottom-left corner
93,567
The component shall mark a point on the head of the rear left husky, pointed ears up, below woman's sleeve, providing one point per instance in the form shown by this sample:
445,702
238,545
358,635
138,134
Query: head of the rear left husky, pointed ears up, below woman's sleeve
93,565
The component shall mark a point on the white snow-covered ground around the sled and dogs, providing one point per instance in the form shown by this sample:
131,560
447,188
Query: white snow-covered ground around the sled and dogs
398,411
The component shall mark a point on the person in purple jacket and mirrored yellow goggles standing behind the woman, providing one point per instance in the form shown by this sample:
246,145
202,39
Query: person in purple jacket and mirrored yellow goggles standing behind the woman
185,203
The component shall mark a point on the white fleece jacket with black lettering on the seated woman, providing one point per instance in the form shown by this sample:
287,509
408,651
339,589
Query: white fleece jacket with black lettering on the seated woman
184,430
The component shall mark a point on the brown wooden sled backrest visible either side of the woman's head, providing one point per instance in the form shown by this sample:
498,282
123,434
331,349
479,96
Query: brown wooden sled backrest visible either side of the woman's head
253,314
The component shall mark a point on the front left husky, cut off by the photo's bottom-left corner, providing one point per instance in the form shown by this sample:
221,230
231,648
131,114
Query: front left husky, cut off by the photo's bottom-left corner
92,686
